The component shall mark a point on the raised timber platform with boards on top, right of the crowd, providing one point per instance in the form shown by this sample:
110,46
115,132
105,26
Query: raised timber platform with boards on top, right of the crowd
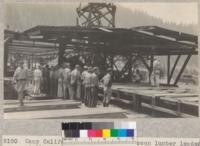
178,101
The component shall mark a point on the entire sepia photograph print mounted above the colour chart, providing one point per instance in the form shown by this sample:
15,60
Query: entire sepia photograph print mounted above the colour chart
92,60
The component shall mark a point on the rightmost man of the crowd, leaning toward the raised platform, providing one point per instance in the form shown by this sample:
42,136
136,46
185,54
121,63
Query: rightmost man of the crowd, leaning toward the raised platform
107,83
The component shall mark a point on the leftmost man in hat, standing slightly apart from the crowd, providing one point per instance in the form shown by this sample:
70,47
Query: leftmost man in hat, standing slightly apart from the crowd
20,77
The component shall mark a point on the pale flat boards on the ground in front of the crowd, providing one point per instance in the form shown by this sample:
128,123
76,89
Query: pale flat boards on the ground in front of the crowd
64,109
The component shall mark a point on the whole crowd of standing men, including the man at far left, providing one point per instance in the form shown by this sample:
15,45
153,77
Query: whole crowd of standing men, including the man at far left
63,82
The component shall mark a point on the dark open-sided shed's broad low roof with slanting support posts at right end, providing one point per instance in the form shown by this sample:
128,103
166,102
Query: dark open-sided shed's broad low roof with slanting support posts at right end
138,43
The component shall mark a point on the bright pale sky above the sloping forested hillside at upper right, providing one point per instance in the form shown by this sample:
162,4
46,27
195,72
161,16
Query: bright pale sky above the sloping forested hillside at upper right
185,13
